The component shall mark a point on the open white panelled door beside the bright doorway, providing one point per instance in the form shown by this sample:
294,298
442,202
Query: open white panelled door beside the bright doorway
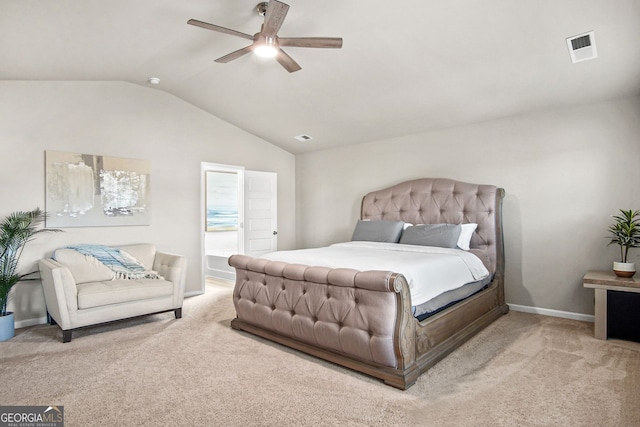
260,212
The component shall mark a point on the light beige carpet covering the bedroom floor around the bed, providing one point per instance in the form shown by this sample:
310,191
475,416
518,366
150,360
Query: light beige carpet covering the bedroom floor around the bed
523,370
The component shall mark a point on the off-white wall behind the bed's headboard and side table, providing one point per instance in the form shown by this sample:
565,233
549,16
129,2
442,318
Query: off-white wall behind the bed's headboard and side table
564,171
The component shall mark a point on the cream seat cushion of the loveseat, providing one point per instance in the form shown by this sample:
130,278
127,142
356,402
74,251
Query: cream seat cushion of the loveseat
101,293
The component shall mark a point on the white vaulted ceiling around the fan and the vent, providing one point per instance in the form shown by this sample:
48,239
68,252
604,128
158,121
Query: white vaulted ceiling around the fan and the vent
405,67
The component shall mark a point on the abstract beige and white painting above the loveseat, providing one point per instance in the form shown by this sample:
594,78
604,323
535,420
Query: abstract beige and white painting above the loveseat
85,190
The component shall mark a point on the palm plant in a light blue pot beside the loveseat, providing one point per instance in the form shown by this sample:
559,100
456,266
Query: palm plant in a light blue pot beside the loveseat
16,230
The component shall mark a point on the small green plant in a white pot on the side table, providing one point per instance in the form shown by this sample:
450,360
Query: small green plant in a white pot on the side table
625,232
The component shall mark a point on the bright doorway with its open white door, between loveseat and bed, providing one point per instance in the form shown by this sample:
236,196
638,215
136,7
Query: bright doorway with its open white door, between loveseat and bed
239,213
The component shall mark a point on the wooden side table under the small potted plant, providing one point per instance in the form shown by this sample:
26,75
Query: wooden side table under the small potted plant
601,282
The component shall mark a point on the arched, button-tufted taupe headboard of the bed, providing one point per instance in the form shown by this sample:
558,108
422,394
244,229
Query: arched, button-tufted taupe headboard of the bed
437,201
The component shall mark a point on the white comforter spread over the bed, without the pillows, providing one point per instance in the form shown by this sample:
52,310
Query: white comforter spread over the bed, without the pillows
430,271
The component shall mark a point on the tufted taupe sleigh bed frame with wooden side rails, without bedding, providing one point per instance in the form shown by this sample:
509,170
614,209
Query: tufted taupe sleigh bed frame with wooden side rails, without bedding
364,319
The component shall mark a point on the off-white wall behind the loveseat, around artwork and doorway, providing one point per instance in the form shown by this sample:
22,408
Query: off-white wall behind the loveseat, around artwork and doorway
124,120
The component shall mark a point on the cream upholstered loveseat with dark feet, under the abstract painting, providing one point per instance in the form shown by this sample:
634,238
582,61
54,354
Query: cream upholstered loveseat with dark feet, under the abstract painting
80,291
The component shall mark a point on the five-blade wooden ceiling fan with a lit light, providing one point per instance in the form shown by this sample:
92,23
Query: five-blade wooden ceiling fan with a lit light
266,42
